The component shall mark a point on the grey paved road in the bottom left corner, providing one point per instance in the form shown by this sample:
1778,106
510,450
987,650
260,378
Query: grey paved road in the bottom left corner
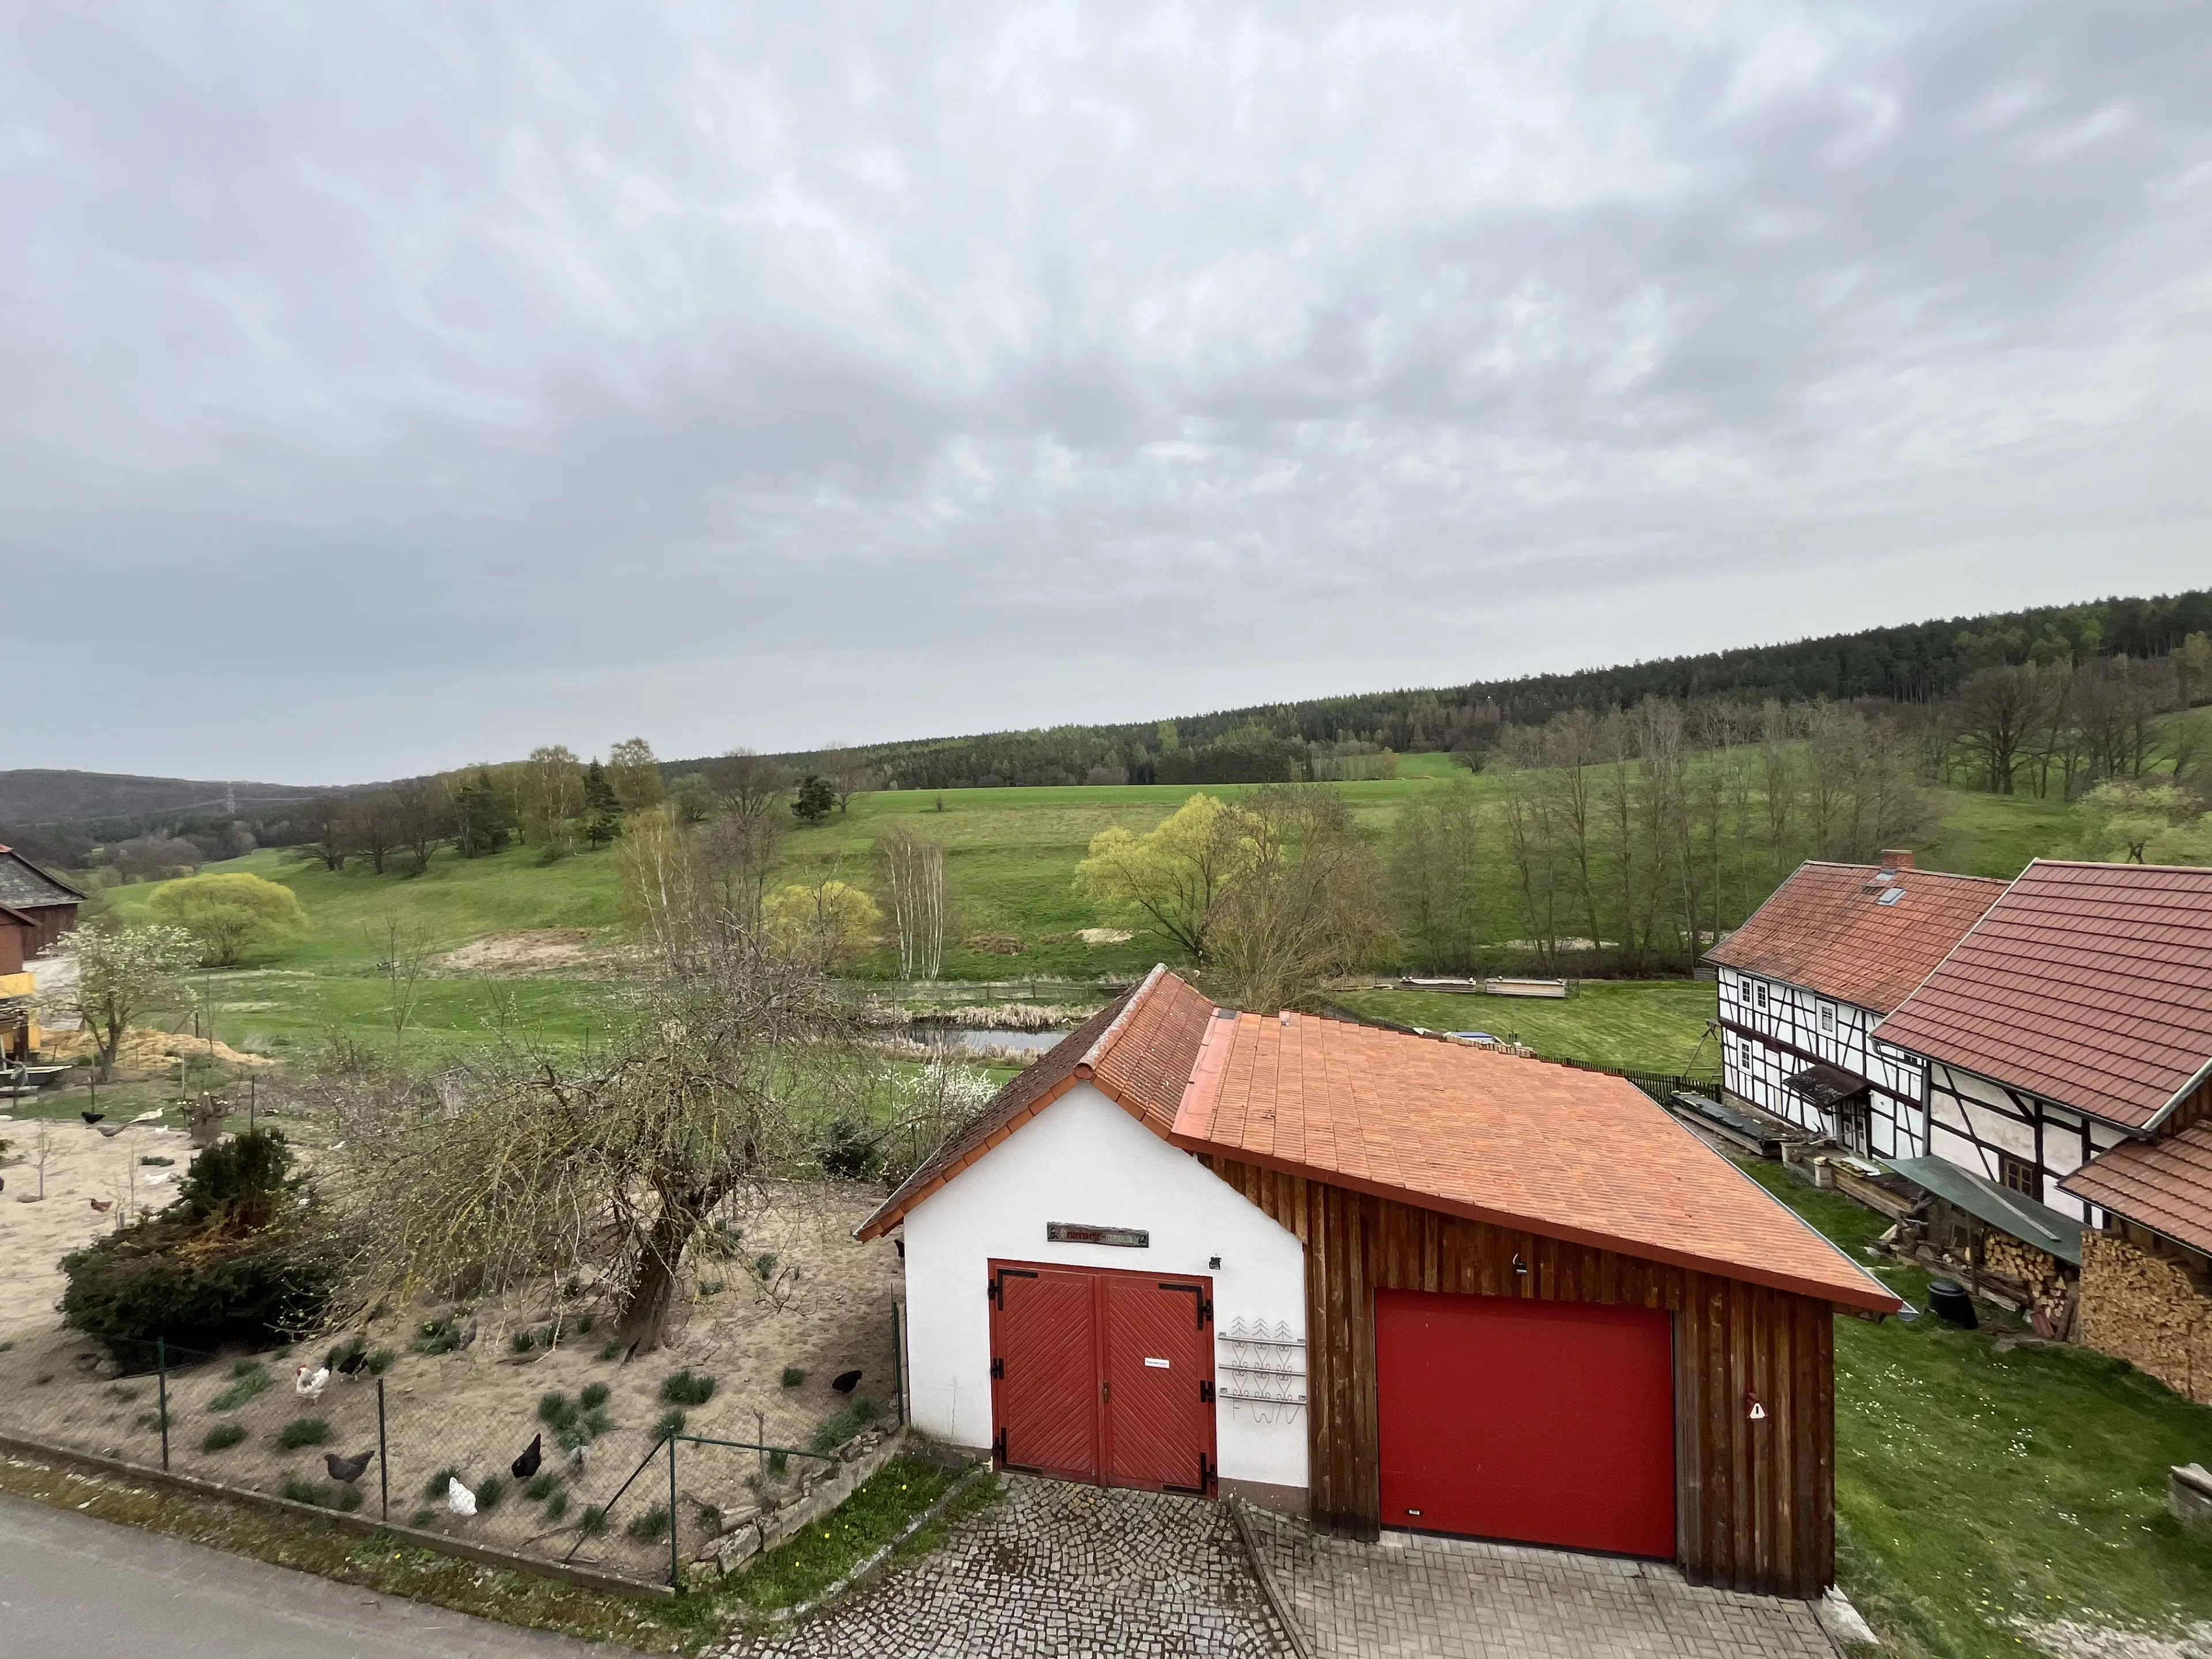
74,1587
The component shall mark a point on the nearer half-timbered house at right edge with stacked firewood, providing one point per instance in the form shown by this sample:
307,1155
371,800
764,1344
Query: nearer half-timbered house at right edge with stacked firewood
2069,1061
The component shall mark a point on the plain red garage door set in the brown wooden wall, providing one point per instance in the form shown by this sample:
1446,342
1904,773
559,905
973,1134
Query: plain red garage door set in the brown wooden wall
1545,1423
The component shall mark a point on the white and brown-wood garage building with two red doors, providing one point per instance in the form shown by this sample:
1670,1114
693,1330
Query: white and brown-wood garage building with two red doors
1384,1282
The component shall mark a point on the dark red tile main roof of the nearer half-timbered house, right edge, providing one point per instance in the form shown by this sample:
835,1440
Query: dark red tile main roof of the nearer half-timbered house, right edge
2089,985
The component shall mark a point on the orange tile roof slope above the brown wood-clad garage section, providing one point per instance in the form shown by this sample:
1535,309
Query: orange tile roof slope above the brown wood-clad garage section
1521,1142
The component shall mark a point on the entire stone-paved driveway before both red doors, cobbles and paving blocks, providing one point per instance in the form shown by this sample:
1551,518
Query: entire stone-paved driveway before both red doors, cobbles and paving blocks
1076,1572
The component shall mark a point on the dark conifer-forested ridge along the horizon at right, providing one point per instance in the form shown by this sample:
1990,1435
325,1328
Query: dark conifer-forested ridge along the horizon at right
1919,662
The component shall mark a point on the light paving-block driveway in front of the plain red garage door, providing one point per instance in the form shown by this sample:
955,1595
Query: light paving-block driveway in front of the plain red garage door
1448,1598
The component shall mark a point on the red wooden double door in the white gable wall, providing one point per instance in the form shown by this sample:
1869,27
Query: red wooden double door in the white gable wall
1105,1377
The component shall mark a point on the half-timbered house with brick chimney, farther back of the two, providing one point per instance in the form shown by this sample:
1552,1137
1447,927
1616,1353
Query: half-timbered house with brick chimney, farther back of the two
1813,972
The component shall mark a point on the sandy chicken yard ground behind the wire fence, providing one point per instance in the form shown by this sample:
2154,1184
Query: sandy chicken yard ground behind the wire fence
477,1410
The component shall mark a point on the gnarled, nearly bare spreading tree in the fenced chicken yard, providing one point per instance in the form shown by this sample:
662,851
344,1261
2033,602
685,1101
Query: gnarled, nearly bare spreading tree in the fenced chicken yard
528,1169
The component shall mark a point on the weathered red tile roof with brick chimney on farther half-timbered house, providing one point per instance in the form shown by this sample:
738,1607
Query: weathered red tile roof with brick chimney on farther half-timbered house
1828,932
